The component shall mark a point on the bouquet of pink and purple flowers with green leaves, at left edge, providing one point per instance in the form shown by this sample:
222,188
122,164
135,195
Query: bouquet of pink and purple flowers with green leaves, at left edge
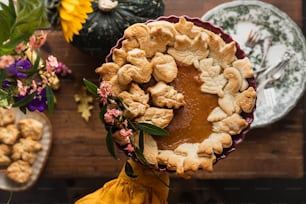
26,80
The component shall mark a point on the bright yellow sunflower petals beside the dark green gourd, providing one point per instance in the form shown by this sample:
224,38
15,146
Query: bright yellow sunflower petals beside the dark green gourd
73,13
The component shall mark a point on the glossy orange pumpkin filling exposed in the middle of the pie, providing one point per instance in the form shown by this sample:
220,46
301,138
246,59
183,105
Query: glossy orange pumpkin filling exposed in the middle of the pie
191,119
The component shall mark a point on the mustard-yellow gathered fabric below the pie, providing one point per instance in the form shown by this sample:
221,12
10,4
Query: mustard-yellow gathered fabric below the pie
145,188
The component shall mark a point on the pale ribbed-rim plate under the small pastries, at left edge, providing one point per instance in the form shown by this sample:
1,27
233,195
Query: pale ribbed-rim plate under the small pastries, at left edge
46,141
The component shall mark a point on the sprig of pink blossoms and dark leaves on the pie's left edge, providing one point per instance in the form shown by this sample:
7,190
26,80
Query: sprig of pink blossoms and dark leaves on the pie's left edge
119,126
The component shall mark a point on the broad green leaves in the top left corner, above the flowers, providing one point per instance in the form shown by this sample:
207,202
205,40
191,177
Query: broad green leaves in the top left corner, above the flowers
18,24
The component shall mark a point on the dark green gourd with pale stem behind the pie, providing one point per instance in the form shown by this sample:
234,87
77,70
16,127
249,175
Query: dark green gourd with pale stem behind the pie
106,24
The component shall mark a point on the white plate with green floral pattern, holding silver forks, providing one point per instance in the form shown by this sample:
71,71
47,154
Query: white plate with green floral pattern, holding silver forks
238,18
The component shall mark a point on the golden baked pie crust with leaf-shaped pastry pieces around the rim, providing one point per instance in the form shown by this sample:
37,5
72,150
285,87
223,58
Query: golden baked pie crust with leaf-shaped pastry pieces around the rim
142,69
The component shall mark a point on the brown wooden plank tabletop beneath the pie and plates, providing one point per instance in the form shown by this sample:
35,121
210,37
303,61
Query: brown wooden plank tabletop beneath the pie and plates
79,149
